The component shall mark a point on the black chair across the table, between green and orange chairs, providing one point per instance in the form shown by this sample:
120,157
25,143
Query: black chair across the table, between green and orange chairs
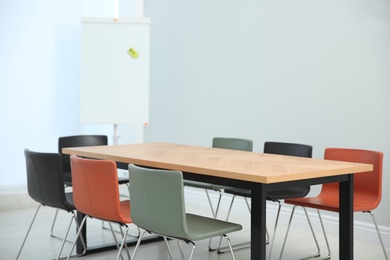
290,149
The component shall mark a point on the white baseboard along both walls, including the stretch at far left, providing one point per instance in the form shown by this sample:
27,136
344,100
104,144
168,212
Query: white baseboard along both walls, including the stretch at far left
16,197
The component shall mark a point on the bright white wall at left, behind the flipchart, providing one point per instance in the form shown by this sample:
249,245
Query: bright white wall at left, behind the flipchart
40,77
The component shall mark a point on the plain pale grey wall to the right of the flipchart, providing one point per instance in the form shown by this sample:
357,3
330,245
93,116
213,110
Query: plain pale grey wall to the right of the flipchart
314,72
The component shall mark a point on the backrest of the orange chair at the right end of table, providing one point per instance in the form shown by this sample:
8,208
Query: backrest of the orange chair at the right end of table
369,183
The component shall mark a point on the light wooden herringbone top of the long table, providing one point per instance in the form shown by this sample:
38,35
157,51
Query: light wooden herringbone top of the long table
241,165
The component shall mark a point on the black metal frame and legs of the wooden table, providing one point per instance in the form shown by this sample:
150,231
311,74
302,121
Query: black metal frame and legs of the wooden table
258,211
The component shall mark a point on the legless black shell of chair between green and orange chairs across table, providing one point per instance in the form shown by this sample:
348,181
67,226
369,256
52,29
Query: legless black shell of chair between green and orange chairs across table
290,149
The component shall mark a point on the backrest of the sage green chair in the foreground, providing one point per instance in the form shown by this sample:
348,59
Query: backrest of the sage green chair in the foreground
157,201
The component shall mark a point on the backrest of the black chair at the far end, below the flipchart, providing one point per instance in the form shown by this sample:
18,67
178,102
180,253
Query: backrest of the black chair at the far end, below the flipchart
77,141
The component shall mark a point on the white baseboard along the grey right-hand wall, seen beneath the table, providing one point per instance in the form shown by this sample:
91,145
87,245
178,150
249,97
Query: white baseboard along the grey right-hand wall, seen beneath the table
363,231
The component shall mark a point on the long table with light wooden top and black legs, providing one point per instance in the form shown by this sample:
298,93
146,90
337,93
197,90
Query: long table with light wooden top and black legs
249,170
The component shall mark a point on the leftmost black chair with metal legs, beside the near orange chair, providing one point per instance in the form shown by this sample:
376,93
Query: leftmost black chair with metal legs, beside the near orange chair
45,185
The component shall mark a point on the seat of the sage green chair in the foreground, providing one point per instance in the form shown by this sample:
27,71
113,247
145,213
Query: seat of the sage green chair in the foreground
200,227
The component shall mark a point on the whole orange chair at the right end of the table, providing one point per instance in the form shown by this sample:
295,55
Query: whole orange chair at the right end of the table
367,189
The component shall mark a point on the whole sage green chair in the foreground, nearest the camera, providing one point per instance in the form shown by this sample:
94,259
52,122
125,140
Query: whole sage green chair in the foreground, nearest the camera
158,206
